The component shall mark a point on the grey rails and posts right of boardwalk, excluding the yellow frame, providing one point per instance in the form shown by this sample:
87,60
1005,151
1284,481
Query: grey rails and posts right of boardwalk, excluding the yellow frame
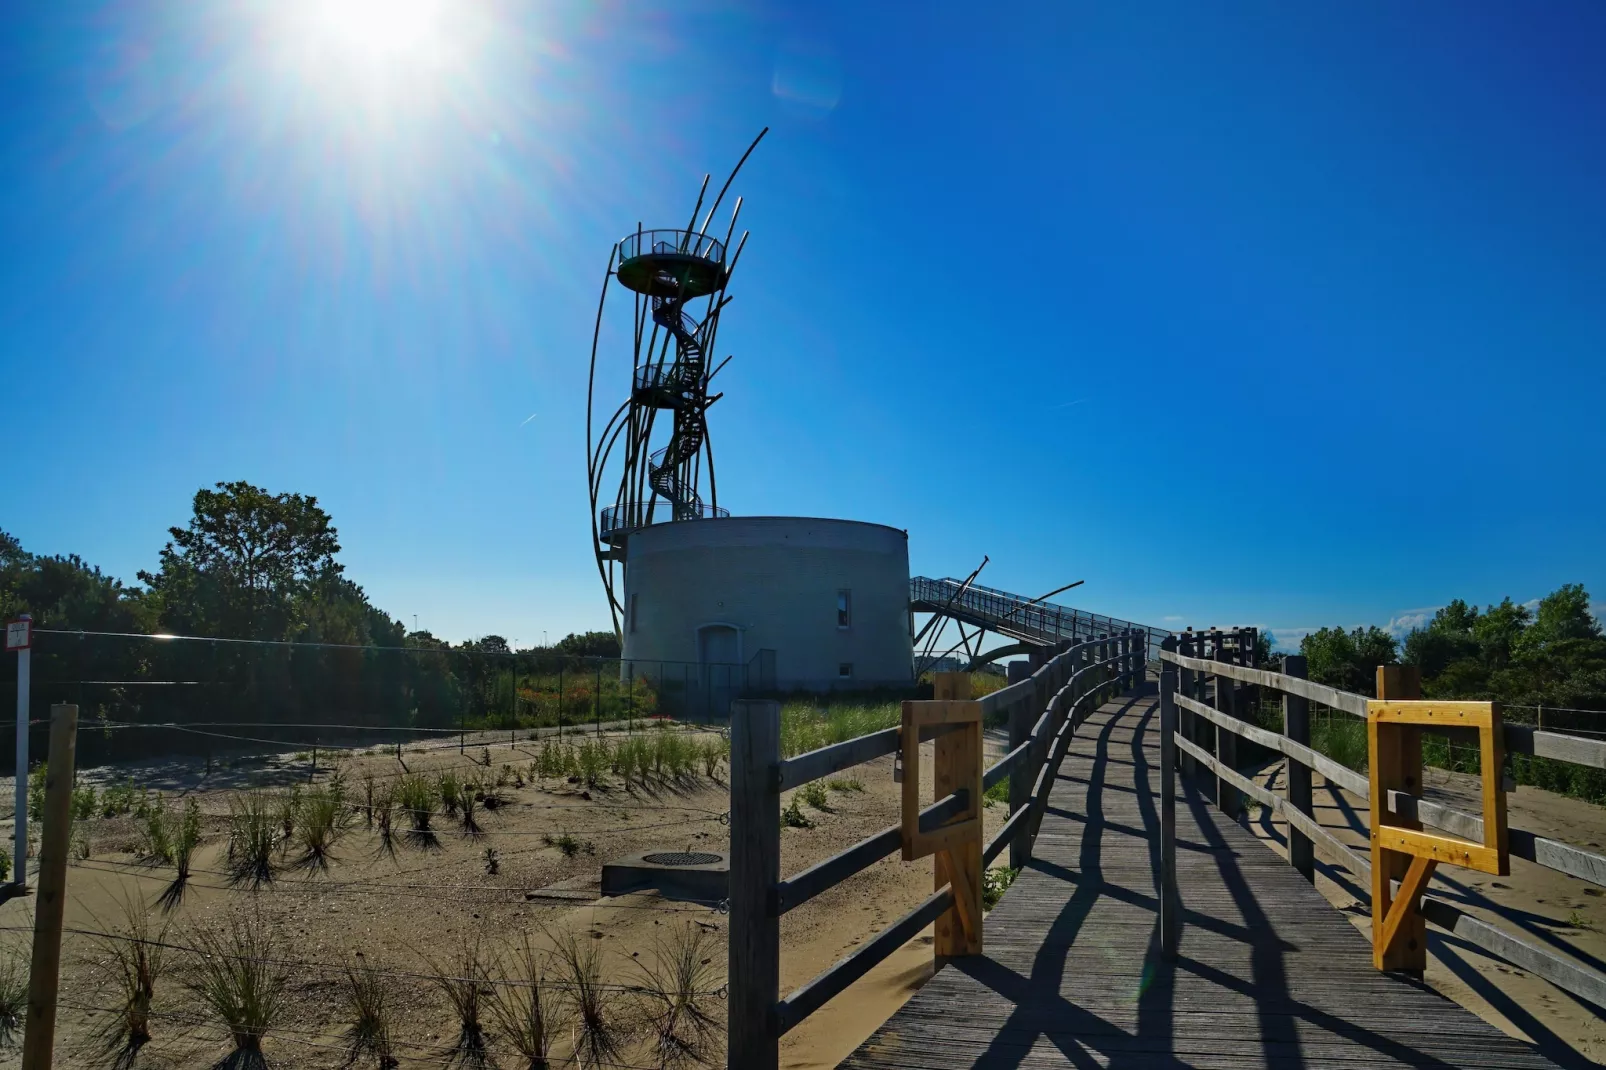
1200,727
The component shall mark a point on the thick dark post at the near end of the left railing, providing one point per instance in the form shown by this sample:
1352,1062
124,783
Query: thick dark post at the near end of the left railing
754,966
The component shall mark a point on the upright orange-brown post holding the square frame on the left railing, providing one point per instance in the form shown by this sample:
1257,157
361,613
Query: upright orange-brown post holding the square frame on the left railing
958,766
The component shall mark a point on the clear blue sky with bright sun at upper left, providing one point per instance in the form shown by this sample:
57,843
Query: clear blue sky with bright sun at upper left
1245,314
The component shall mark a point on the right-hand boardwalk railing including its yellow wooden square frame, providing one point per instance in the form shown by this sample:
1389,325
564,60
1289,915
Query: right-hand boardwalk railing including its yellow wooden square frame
1204,687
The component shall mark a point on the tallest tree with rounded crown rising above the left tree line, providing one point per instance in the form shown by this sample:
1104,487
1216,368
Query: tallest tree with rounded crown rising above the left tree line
245,560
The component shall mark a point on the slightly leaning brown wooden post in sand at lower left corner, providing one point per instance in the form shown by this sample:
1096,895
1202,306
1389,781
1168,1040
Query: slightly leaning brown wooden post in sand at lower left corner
46,970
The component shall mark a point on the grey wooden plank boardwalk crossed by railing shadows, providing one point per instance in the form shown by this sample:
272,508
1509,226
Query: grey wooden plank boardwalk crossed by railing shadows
1270,974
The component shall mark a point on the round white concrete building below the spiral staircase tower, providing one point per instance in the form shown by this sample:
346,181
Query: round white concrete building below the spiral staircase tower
799,603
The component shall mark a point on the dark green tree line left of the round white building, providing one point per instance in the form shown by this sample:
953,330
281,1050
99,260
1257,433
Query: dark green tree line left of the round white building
288,637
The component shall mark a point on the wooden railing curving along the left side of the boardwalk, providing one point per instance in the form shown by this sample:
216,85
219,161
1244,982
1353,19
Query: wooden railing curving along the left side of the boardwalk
1040,713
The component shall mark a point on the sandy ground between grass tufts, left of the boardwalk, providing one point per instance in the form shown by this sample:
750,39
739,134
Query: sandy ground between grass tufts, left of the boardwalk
418,905
